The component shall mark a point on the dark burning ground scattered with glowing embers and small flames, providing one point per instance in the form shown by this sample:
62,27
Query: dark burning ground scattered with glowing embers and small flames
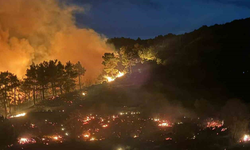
78,120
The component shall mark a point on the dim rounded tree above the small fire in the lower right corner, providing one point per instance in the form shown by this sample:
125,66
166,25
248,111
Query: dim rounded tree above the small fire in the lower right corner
235,115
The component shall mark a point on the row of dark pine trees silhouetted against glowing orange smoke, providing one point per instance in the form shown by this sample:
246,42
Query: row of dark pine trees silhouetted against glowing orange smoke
48,78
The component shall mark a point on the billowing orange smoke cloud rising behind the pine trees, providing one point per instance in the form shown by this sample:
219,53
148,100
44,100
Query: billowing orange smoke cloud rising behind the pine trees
37,30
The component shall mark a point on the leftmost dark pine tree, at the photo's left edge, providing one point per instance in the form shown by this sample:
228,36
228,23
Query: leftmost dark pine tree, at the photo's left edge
8,82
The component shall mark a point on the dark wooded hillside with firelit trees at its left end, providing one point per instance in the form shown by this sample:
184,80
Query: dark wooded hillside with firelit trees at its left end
207,62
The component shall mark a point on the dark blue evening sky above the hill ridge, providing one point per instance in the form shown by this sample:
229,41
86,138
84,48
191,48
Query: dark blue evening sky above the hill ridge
149,18
